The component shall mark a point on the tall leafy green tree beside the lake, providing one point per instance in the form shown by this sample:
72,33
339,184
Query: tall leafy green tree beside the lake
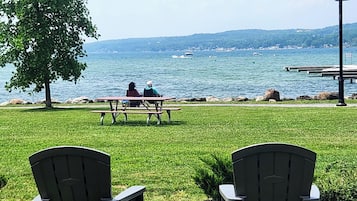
44,40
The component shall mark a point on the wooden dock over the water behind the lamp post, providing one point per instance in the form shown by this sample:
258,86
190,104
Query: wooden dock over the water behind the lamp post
349,71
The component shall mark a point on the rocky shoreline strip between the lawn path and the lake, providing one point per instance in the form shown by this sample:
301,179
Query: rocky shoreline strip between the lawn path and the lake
270,95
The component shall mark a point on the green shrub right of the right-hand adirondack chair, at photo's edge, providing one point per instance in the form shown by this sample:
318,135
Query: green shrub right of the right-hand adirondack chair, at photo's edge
339,182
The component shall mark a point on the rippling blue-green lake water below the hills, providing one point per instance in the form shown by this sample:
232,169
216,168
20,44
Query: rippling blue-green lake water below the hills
207,73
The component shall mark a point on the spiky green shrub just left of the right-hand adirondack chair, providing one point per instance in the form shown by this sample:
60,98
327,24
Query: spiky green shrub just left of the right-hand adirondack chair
215,172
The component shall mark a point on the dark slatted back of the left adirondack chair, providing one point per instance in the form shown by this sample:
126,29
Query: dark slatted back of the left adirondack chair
72,173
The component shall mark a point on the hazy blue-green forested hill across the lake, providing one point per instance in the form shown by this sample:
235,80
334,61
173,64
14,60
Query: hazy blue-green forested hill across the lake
239,39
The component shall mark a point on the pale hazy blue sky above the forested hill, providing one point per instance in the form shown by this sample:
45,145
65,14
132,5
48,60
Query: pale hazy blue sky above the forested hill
119,19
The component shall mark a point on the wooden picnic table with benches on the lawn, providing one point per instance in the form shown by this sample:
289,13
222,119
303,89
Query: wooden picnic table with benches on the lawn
116,108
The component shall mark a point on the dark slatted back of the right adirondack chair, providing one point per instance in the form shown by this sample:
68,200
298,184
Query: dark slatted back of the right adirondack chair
273,172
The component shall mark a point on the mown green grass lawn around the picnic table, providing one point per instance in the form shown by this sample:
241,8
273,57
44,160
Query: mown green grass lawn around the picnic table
164,157
